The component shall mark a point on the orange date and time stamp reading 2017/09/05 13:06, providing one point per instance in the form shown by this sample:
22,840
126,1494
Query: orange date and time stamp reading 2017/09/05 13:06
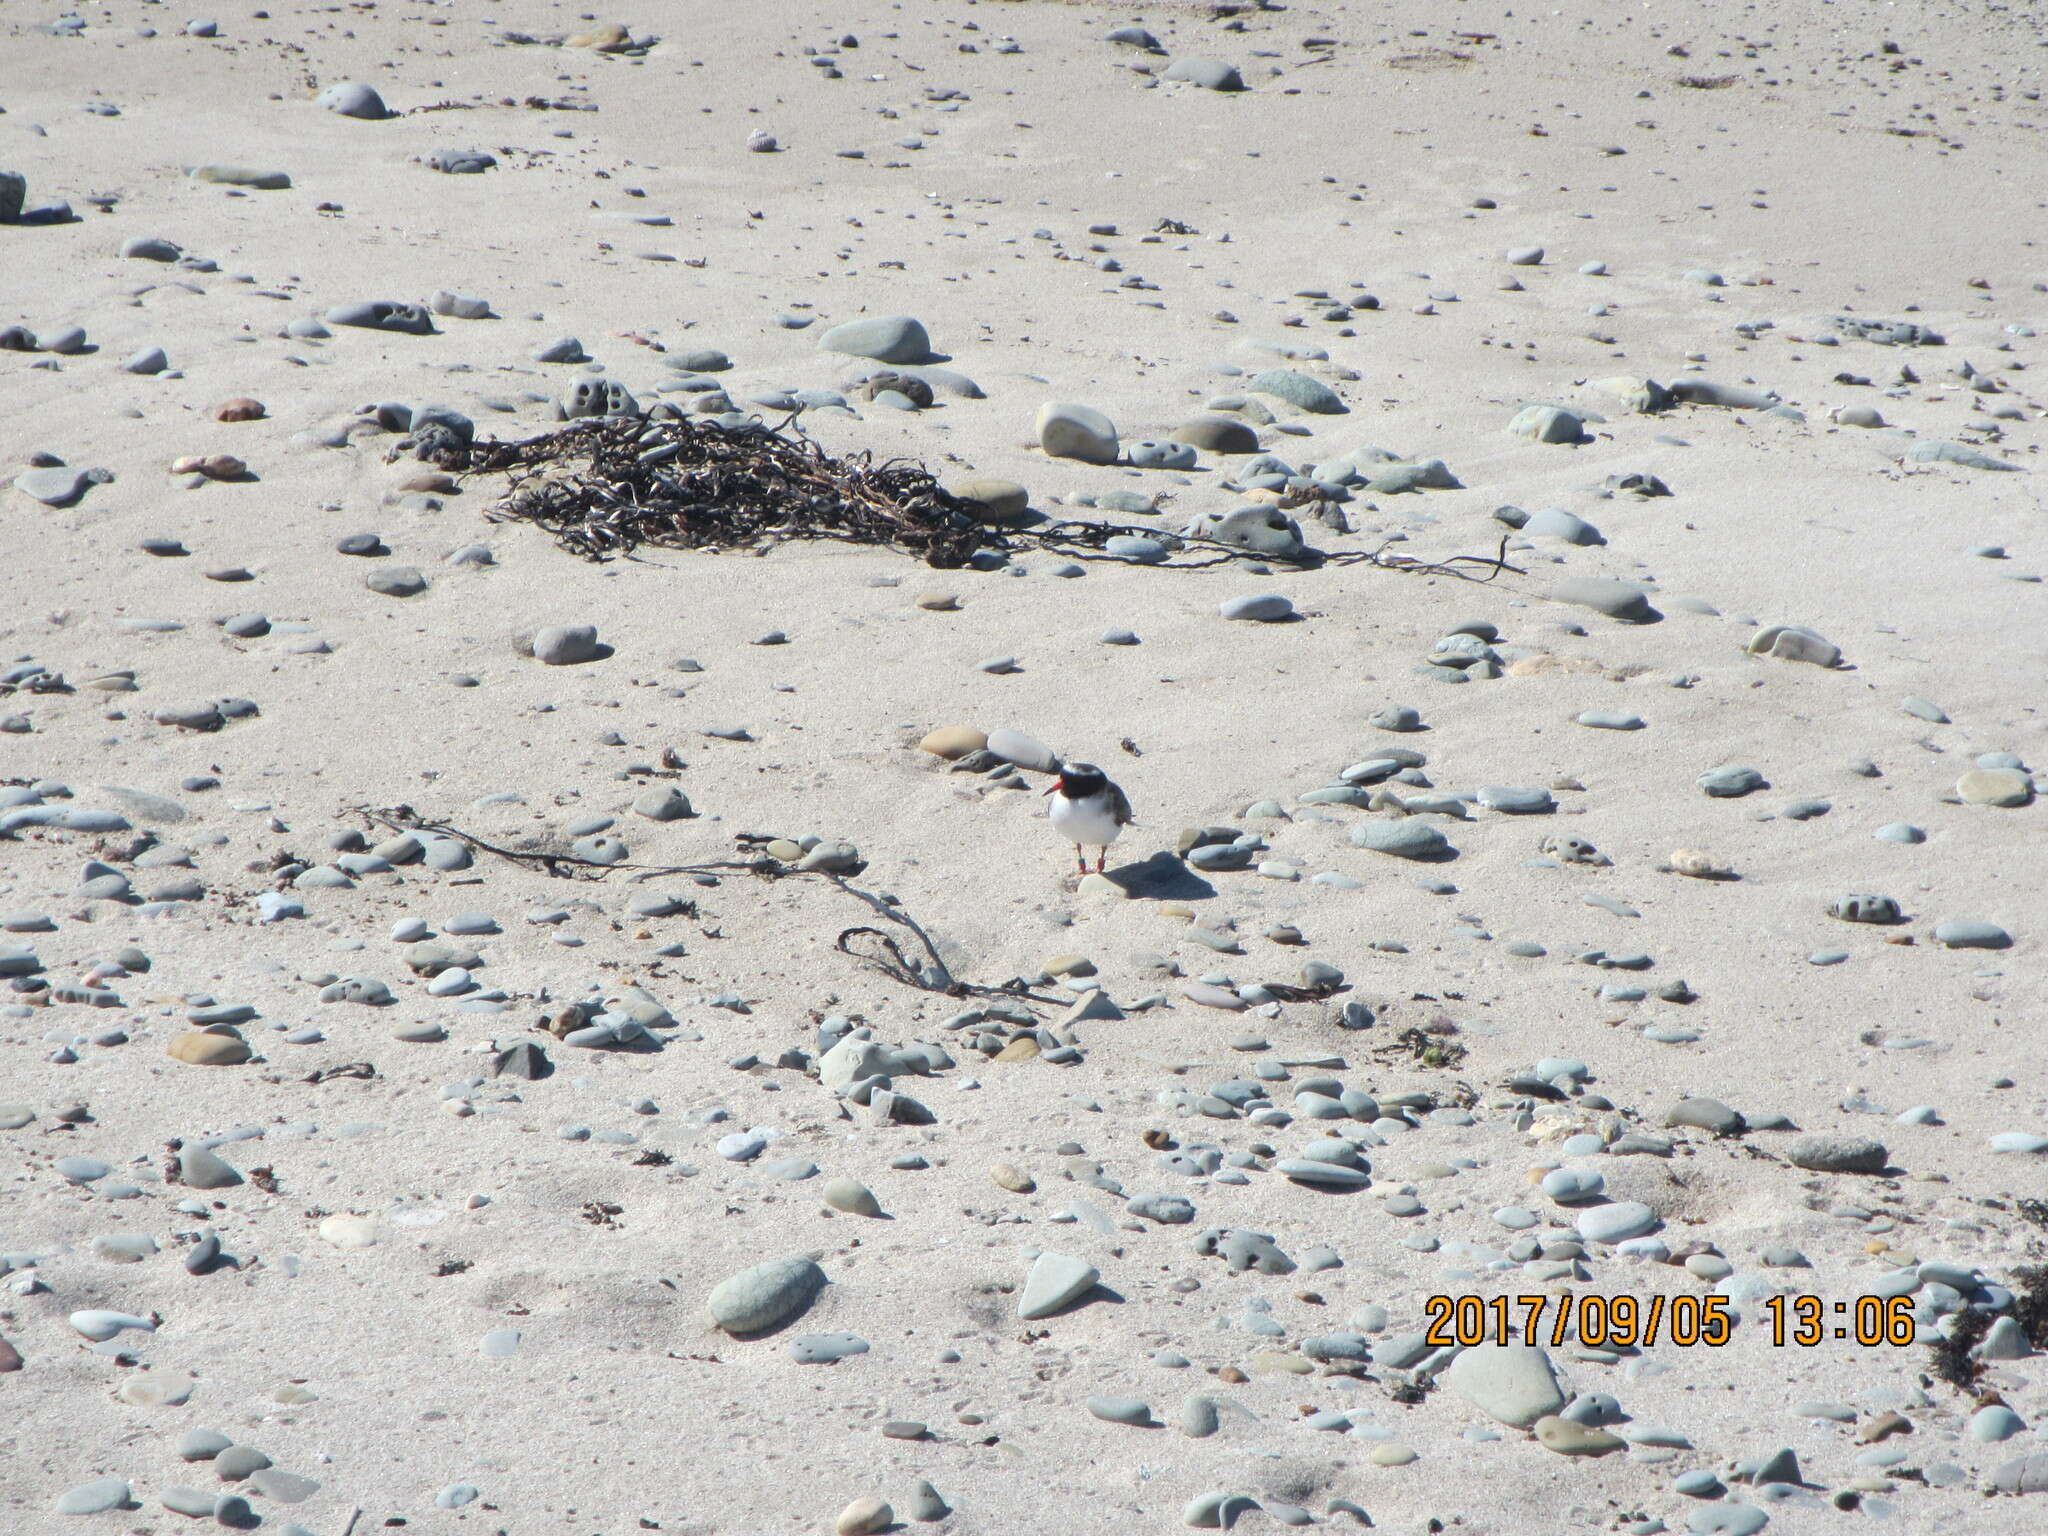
1687,1322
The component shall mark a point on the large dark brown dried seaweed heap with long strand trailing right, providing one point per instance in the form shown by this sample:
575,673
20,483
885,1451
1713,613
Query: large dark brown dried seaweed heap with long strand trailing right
609,486
